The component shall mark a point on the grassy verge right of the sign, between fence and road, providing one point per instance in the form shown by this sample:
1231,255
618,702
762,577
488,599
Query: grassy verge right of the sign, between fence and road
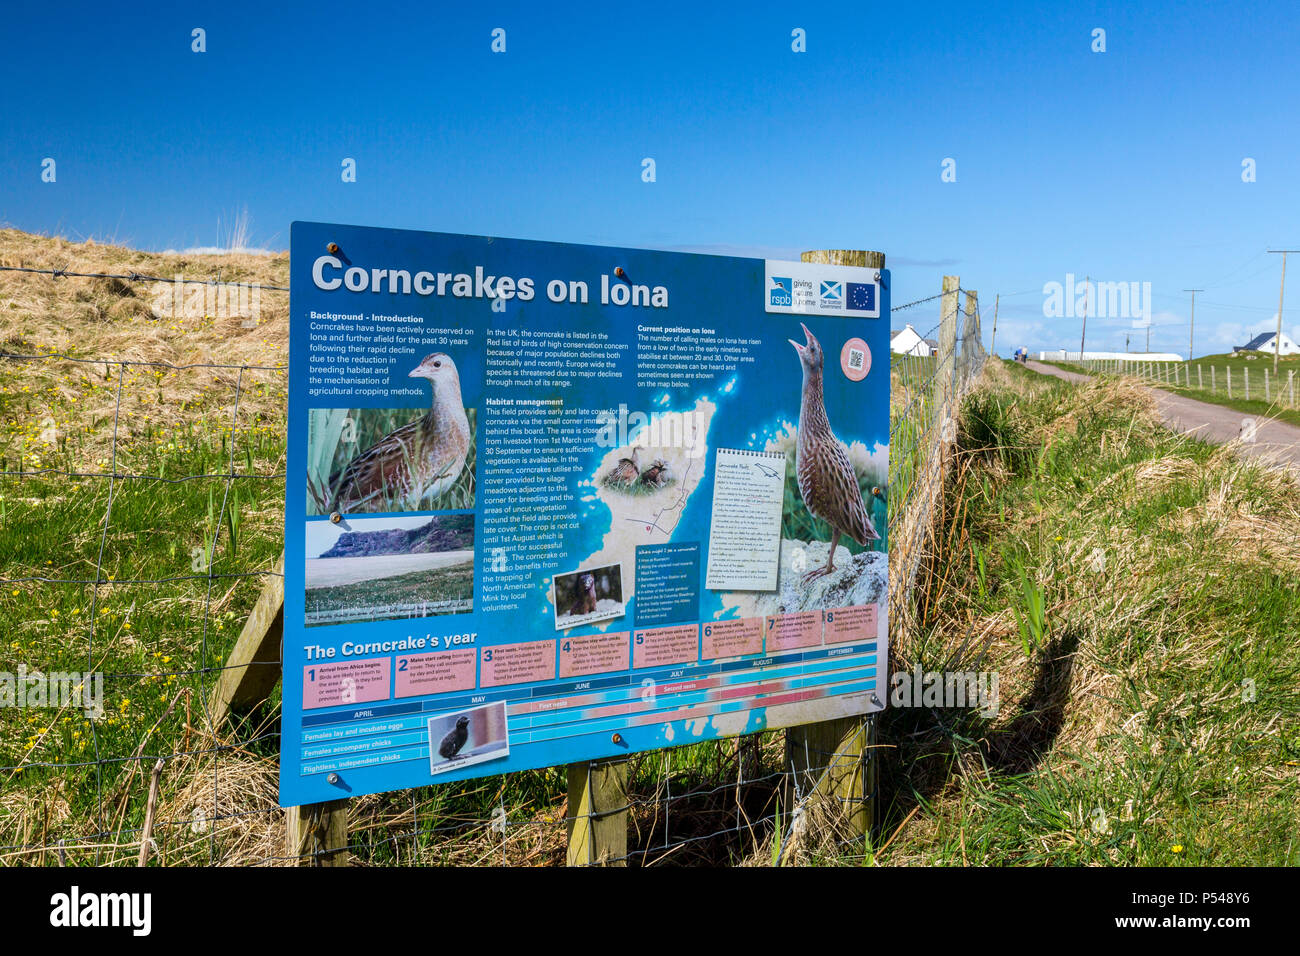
1125,583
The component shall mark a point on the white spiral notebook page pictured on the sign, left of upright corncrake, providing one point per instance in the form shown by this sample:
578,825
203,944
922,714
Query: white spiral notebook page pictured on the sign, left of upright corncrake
746,533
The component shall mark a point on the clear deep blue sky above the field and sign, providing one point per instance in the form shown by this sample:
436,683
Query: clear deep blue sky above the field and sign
1125,166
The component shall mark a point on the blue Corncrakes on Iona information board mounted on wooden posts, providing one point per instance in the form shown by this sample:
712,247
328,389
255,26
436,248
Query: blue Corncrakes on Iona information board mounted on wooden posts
549,504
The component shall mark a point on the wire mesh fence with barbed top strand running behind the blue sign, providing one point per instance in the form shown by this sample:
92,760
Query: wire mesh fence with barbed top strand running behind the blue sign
93,539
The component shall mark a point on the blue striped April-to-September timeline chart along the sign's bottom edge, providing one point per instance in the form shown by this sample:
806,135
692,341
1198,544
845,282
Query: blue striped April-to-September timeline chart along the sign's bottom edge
384,734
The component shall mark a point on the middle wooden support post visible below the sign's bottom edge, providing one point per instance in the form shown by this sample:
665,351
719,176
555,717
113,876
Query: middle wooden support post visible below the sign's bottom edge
597,814
